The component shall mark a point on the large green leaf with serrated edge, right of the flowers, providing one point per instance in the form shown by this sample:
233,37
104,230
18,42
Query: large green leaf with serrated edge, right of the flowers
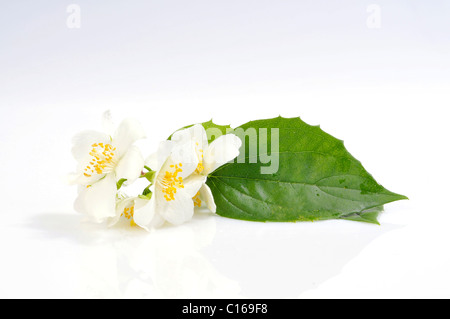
316,177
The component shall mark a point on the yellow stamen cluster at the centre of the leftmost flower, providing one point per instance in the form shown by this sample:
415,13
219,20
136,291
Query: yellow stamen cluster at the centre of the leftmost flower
102,159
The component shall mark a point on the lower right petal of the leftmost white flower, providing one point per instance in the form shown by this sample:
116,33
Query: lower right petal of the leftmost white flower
130,165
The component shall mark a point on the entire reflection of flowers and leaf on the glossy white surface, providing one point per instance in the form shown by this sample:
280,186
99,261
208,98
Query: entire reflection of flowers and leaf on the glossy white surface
209,257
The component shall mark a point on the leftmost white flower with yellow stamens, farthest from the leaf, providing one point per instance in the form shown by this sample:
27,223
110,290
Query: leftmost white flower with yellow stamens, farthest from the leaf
103,160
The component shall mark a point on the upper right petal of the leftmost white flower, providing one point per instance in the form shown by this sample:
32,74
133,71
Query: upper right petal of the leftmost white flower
128,132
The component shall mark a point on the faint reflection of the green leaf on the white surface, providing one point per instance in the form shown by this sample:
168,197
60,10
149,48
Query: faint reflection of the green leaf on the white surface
272,260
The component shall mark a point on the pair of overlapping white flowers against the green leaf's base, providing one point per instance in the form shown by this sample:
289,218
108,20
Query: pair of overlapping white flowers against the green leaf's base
182,166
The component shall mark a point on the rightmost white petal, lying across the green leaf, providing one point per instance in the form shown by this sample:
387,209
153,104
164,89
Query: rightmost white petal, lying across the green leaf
222,150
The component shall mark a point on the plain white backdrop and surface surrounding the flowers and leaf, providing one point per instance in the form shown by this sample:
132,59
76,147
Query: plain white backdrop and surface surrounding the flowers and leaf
383,86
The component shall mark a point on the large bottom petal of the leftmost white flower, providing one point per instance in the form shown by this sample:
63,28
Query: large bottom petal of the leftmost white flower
99,200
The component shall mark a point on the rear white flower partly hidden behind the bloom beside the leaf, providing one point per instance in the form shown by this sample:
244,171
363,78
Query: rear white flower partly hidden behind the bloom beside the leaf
210,156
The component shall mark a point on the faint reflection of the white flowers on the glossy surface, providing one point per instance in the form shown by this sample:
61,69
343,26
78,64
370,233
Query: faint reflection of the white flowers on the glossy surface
167,263
